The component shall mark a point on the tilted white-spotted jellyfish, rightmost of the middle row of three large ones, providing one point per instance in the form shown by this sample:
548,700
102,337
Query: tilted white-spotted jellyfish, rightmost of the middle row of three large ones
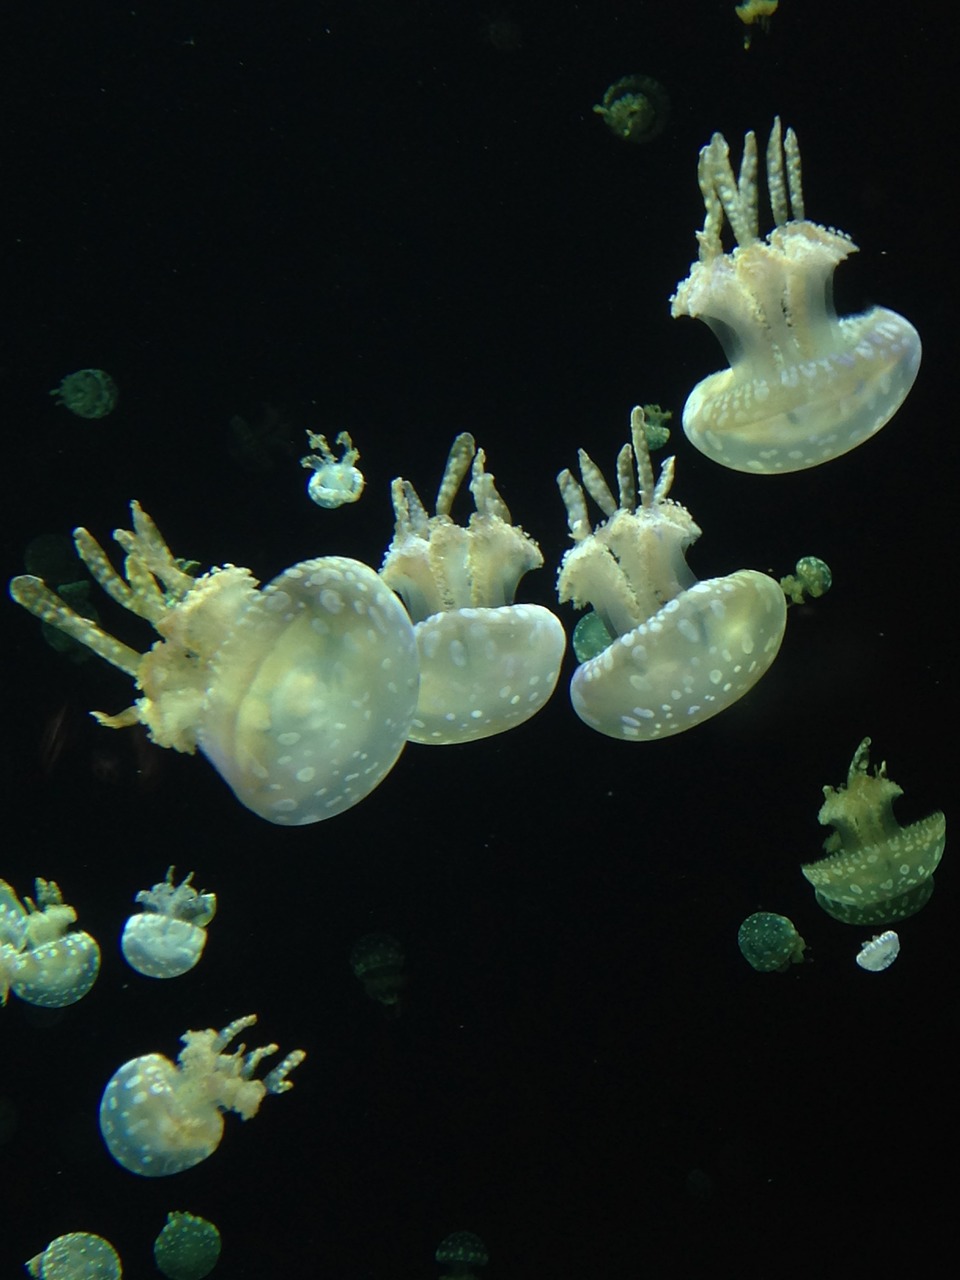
682,651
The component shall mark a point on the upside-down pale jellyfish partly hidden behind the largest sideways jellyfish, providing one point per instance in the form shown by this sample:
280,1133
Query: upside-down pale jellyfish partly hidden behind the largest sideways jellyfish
487,665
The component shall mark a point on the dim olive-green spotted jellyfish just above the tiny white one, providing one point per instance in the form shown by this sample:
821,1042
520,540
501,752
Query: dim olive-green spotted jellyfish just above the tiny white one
876,871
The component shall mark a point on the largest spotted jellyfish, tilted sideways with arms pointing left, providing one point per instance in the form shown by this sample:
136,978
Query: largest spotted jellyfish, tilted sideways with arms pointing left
301,694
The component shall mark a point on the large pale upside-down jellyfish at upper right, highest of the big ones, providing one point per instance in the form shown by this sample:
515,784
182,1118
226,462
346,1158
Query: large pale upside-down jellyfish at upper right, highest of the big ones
804,387
